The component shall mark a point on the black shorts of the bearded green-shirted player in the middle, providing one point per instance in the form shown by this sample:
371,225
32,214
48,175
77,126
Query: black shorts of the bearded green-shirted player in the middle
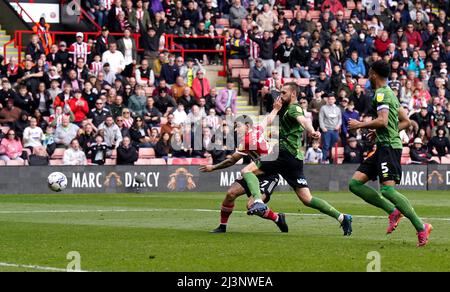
289,167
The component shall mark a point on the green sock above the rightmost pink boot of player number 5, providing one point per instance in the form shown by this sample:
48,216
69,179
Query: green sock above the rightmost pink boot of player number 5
403,205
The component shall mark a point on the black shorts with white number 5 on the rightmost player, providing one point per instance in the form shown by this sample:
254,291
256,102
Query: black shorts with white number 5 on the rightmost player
384,164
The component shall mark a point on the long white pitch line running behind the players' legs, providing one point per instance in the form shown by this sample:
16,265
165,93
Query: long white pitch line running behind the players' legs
184,210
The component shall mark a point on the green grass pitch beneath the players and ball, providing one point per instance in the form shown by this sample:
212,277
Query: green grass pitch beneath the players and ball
169,232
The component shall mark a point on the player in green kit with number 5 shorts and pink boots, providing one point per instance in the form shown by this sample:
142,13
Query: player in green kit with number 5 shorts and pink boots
385,162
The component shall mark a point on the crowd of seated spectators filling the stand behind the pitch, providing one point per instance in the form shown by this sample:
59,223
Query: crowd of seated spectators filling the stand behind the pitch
102,97
